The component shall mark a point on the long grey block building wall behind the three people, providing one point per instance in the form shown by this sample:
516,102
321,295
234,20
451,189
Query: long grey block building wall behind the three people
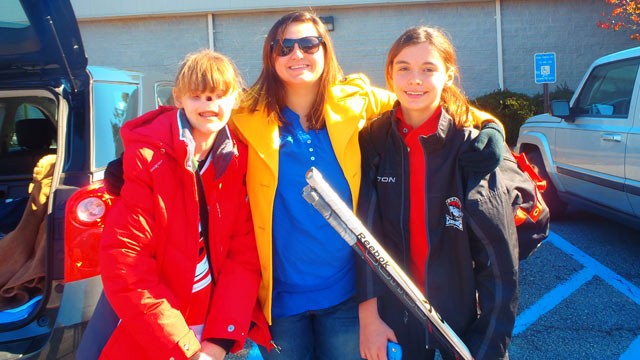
362,36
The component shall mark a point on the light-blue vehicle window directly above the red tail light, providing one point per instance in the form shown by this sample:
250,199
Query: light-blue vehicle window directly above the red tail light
114,104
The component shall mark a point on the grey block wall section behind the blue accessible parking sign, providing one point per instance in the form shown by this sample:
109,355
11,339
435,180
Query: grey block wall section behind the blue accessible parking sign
567,28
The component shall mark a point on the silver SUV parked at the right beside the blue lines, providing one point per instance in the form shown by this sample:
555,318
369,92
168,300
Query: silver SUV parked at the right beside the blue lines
588,149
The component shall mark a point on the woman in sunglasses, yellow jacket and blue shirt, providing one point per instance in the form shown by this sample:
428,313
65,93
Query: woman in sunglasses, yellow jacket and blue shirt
303,112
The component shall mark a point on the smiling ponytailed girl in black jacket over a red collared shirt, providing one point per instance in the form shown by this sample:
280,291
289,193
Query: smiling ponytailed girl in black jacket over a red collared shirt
453,232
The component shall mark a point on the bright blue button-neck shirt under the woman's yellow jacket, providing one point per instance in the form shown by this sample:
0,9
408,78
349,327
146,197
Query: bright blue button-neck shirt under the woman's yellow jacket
313,267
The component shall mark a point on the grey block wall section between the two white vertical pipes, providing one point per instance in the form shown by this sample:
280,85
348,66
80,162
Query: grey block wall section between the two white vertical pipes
362,37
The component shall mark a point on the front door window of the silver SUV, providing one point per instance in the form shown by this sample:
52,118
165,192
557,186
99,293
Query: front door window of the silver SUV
608,90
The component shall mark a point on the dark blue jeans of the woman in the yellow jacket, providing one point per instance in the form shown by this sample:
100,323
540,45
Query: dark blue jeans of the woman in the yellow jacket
327,334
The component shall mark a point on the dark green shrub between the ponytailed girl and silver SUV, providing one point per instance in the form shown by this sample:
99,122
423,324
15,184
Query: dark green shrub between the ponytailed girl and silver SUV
511,108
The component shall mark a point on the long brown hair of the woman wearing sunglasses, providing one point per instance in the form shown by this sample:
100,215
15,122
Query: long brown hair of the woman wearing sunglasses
269,89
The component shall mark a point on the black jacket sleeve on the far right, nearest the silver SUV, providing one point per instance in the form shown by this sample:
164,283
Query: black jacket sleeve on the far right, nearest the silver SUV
494,249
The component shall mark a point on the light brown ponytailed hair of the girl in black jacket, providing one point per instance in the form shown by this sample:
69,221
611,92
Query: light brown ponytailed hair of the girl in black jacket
453,99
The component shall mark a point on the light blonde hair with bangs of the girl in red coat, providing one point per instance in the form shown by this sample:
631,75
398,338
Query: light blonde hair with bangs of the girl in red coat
206,70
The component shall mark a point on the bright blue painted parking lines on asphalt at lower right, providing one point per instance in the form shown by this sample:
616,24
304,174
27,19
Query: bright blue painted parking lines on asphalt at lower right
564,290
